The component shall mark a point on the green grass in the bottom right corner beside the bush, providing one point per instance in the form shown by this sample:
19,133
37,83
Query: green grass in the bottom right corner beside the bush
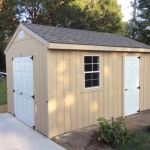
140,140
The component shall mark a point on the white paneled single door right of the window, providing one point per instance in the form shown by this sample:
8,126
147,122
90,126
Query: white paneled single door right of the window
131,85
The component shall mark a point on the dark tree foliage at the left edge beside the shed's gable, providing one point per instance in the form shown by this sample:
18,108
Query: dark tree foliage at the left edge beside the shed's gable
8,23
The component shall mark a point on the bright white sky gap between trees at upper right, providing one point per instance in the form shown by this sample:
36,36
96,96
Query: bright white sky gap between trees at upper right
126,8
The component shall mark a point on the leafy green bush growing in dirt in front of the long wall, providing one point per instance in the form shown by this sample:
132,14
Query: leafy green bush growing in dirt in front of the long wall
115,133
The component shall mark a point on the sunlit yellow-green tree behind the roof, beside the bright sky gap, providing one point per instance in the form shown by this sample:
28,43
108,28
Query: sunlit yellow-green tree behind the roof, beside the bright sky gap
105,16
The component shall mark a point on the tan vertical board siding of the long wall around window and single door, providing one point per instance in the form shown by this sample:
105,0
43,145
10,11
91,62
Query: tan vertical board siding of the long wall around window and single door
70,107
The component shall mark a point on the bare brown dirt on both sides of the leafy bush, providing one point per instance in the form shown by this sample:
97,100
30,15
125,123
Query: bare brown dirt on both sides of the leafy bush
87,138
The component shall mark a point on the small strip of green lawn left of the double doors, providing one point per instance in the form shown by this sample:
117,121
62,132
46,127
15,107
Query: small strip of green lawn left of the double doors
3,92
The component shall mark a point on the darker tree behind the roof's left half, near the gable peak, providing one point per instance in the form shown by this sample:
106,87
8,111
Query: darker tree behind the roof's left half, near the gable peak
63,13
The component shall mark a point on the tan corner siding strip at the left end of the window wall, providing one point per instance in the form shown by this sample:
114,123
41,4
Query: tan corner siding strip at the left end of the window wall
53,104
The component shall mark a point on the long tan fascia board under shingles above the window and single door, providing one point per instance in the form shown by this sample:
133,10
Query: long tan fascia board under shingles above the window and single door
95,48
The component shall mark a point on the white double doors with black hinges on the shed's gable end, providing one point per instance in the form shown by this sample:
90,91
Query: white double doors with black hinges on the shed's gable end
23,89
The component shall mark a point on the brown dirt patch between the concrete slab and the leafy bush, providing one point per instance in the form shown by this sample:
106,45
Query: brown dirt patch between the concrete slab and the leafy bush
84,139
